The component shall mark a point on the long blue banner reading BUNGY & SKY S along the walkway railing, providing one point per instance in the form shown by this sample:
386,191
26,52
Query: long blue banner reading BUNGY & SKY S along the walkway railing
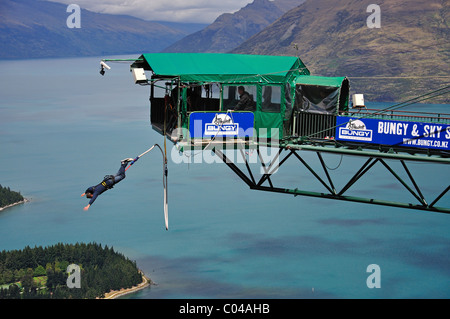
394,133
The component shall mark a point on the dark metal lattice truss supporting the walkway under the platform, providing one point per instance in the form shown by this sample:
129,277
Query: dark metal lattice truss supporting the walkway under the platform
265,183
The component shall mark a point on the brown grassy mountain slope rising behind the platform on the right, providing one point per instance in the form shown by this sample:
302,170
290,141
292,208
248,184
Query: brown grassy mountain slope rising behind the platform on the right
409,53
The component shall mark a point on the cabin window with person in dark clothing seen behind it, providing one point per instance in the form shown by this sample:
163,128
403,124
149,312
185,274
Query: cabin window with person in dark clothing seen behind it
232,99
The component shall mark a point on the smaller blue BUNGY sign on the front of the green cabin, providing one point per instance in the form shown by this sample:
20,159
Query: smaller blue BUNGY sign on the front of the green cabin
209,125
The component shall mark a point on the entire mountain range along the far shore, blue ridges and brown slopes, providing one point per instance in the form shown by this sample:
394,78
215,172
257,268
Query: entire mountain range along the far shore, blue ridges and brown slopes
407,56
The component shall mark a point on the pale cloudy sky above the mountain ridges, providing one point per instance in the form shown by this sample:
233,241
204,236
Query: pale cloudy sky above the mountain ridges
193,11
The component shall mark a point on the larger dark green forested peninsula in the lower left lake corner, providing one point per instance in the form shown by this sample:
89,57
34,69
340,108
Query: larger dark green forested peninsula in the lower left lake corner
42,273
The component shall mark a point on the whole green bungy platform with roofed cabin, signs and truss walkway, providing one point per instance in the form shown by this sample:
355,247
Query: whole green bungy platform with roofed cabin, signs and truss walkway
192,101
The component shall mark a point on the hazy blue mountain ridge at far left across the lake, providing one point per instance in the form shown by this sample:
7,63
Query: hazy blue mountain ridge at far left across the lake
36,29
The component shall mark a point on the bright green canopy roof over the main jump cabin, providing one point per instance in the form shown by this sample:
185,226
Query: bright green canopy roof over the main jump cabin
221,67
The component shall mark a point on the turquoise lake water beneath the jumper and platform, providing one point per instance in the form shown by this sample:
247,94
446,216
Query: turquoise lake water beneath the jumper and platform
63,127
